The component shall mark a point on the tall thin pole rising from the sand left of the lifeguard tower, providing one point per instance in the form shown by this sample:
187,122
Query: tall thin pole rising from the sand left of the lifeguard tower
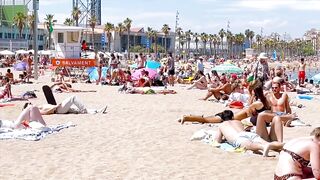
35,37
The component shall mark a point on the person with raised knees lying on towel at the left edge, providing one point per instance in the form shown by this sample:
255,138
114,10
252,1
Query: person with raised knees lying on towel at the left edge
29,114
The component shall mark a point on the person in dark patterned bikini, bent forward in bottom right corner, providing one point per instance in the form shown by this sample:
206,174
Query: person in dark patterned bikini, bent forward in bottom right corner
296,156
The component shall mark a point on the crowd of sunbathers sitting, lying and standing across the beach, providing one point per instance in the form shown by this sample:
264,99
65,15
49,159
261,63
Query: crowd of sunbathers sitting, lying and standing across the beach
260,92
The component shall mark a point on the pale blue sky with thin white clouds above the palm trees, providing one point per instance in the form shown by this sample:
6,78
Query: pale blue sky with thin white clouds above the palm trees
292,17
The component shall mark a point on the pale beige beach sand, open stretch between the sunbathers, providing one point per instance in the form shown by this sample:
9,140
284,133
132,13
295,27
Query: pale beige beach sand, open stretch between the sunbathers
139,138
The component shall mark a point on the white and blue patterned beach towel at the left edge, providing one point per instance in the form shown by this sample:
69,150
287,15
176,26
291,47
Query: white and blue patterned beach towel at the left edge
36,133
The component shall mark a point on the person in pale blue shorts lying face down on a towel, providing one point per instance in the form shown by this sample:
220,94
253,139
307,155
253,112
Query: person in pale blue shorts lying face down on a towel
235,134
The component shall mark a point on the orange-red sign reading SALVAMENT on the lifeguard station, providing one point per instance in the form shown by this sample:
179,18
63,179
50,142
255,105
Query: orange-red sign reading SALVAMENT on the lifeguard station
74,62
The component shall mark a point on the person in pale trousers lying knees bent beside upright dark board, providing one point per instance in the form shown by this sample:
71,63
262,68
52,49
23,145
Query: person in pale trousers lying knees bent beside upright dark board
67,107
